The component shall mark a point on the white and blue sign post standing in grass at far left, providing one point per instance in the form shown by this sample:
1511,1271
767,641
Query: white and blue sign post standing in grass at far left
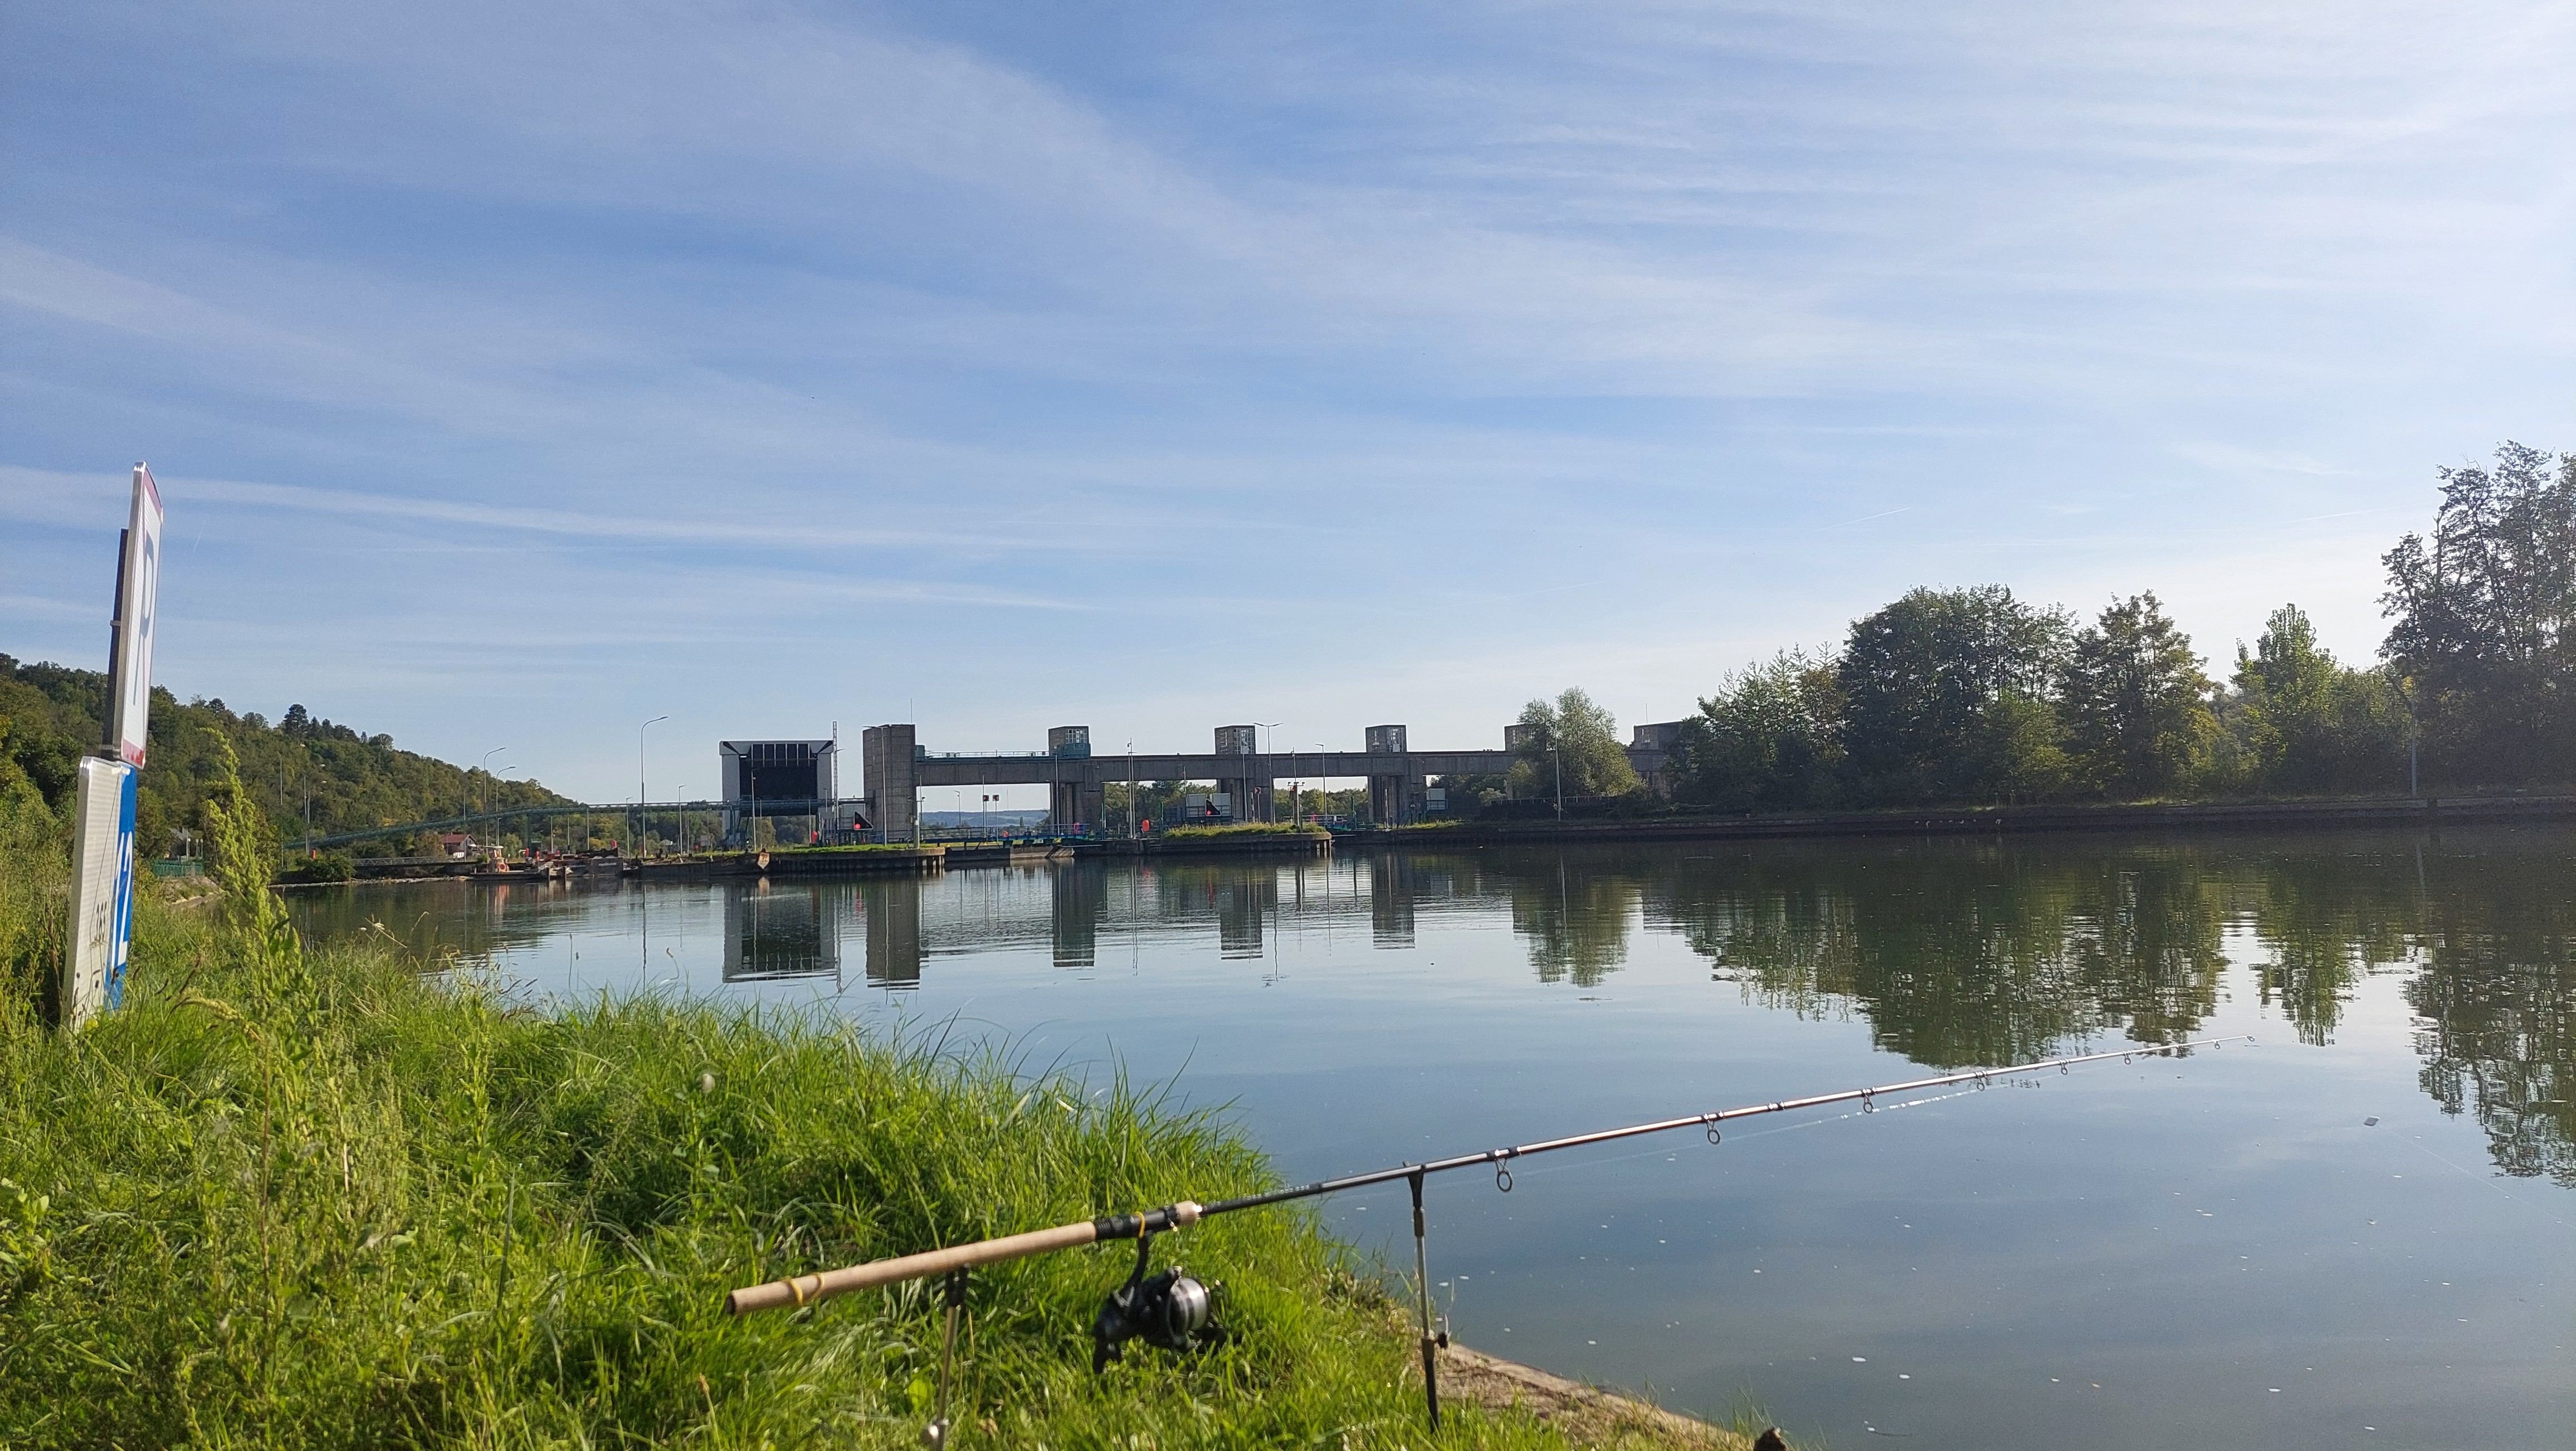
94,970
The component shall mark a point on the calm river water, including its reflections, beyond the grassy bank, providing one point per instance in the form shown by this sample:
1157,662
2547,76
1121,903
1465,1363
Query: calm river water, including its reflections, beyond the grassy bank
2217,1251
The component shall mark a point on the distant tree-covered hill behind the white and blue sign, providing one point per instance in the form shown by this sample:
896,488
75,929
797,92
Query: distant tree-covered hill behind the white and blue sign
50,715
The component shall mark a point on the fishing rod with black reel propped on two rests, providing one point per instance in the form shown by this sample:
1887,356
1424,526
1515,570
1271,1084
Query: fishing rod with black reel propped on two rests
1173,1311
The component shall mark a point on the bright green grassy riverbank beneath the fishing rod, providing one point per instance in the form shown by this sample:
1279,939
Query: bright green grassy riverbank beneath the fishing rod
321,1200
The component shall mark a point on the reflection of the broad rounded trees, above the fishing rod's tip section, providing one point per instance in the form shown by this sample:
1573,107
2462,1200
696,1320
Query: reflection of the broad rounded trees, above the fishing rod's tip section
1969,955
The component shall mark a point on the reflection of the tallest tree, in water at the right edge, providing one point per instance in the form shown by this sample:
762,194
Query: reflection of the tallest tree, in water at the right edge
2500,1009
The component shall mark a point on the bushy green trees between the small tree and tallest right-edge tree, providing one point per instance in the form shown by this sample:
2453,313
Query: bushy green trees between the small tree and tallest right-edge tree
1972,697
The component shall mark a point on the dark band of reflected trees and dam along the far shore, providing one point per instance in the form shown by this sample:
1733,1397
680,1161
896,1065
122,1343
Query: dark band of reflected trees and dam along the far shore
1951,952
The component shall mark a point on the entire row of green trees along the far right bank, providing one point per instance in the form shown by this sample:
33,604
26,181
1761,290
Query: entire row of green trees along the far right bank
1980,697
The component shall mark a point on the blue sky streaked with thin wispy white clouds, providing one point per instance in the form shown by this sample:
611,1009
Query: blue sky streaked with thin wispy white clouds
519,372
